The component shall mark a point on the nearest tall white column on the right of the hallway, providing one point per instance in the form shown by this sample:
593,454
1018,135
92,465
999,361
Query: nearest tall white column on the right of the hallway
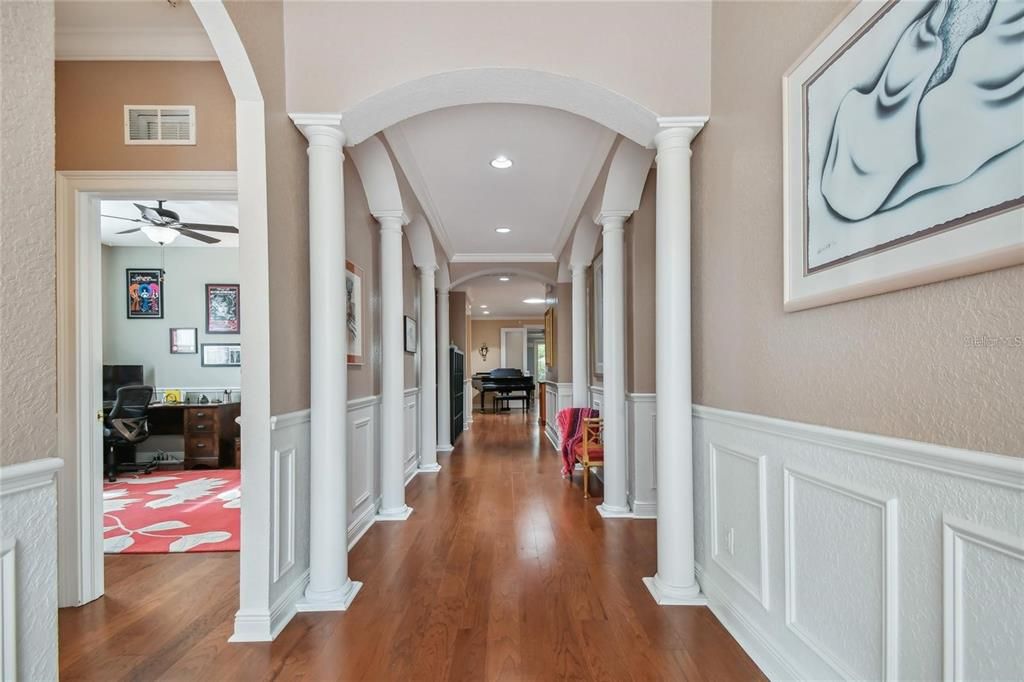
675,582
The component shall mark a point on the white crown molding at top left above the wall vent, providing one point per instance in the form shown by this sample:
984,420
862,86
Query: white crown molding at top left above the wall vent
136,45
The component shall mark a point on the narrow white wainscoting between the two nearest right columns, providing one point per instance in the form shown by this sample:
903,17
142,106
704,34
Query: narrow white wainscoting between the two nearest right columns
642,441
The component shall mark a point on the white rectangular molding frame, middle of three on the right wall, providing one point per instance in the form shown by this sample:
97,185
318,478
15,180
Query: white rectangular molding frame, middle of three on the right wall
888,507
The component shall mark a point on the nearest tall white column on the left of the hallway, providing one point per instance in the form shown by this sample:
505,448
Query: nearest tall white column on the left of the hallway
330,588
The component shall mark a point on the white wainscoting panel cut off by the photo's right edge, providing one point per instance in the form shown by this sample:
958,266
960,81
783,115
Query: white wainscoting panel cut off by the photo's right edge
984,603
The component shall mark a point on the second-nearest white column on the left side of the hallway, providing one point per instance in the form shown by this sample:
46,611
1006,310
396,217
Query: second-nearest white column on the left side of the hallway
394,506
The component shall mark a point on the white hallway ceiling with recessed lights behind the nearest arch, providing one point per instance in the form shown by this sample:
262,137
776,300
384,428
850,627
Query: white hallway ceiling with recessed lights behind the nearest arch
447,157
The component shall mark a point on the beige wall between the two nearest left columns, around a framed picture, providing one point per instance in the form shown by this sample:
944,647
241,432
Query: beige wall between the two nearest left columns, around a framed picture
363,247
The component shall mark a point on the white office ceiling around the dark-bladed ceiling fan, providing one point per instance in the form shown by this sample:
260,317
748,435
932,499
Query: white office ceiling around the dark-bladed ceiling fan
211,212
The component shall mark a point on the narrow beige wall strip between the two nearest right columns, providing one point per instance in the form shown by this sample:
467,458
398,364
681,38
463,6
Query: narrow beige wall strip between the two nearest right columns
641,368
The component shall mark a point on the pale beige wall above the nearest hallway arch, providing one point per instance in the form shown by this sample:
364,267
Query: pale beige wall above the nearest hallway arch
656,54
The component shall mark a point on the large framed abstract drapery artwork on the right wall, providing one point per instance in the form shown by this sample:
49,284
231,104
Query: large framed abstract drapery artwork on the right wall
904,149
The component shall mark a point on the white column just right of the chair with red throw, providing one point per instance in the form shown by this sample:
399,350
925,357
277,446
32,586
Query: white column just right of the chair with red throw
614,407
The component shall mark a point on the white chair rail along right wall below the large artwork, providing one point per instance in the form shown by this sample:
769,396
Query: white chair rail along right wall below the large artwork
986,467
